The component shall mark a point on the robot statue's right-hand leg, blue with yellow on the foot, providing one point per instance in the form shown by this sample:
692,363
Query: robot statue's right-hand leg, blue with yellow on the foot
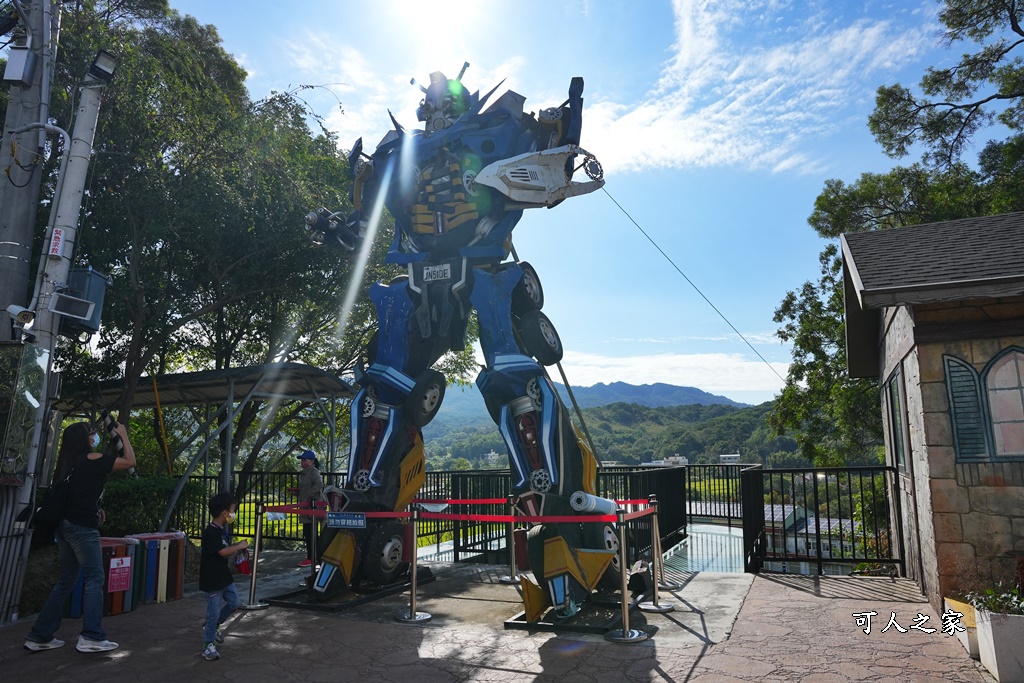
554,473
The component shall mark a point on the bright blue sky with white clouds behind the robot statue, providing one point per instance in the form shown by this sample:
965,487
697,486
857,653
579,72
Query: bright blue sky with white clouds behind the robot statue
717,123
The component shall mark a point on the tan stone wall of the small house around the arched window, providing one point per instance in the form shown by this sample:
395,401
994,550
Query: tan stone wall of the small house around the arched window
969,515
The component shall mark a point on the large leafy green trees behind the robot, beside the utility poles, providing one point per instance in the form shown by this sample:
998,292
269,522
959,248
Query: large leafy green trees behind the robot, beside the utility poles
195,209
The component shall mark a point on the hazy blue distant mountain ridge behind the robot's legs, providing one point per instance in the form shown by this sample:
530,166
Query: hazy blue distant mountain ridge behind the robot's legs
464,407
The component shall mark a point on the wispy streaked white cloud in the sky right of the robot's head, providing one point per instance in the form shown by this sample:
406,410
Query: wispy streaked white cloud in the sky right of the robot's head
755,100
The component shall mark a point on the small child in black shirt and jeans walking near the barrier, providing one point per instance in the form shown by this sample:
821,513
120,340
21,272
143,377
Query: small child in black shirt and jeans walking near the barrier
215,577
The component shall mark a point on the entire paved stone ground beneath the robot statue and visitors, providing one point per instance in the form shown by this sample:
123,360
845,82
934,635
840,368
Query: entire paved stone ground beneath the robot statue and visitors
727,628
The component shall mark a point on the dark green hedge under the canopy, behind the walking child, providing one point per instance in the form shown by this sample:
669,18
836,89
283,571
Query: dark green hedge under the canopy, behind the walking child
137,505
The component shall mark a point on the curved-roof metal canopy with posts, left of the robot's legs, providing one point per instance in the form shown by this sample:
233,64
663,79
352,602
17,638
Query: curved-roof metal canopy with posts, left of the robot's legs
223,389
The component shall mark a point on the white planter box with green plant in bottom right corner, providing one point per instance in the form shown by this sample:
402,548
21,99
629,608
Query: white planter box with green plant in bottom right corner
1000,615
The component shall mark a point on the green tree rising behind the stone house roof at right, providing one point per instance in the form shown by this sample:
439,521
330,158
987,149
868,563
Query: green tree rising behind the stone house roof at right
835,419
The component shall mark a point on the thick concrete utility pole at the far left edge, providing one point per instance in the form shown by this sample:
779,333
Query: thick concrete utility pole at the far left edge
29,74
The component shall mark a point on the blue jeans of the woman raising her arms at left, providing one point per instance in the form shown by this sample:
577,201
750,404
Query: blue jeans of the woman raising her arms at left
79,549
